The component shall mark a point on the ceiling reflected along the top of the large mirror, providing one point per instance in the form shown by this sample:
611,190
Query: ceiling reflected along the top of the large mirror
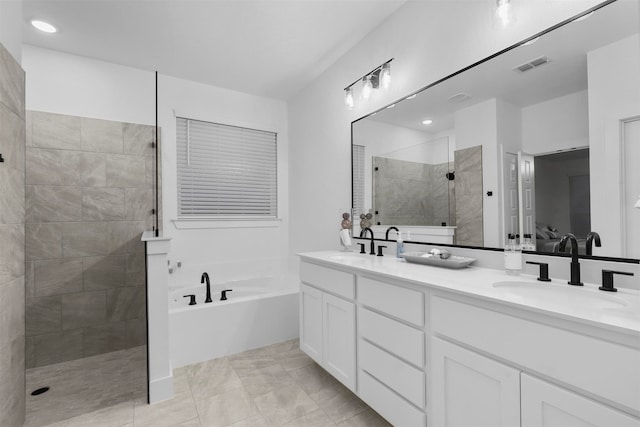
565,73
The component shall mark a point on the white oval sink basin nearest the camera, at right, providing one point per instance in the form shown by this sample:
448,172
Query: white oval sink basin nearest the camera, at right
560,294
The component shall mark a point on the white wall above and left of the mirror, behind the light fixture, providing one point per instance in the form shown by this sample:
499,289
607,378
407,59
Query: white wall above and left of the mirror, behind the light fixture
429,40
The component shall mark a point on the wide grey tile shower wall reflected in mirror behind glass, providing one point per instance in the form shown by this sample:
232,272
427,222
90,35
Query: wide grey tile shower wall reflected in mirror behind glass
411,193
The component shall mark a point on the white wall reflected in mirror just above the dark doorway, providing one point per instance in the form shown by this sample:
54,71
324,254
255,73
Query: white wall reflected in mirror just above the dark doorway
559,124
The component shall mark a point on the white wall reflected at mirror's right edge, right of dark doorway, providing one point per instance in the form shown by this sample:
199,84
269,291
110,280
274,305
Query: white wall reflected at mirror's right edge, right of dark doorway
614,95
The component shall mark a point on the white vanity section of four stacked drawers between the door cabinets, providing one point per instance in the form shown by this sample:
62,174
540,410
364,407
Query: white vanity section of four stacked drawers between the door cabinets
391,361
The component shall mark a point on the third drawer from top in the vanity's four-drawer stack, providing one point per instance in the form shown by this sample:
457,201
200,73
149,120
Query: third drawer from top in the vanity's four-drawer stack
406,380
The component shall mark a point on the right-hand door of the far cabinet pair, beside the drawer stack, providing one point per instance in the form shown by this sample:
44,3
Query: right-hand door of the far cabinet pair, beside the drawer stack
339,343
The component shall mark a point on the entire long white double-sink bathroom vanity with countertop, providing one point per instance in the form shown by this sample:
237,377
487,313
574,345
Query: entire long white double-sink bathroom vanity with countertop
473,347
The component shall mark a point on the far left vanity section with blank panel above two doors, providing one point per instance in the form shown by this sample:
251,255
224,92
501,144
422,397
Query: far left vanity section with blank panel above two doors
327,320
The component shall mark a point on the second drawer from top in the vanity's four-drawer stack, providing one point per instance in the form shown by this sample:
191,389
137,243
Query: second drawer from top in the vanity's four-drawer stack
395,337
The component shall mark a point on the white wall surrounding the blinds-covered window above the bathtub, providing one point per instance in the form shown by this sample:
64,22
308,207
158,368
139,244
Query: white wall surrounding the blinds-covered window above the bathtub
221,244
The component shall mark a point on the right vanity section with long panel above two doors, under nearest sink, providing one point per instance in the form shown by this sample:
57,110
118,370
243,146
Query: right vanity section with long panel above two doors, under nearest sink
470,388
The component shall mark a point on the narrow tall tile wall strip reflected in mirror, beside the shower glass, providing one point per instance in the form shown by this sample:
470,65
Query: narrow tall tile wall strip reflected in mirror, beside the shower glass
468,195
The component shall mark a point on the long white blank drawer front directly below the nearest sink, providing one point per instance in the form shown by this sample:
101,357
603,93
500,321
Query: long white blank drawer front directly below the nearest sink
600,367
